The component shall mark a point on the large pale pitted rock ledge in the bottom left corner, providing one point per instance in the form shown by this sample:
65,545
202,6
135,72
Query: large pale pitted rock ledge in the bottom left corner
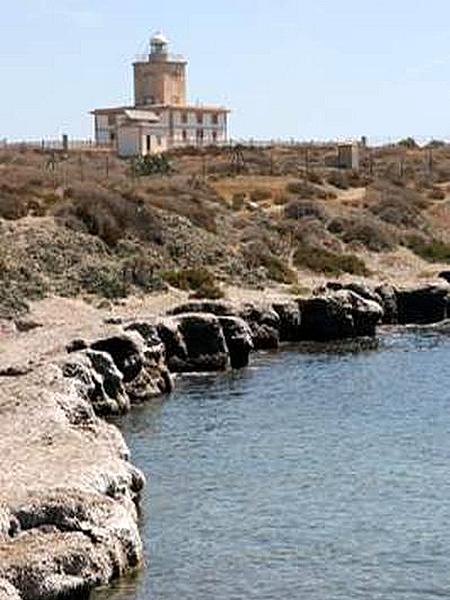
69,542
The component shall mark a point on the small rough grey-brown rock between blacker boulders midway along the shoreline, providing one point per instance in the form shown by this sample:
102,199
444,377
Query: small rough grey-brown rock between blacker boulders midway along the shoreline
264,324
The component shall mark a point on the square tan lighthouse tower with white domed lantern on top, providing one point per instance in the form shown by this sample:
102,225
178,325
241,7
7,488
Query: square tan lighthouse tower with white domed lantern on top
161,79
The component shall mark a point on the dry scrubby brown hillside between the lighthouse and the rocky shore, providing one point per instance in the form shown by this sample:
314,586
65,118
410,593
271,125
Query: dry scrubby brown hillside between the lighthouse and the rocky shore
86,225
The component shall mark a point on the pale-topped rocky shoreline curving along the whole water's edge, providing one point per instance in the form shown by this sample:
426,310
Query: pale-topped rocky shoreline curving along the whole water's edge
69,493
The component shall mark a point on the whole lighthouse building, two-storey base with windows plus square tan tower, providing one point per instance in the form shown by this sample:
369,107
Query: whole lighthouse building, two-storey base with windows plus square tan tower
161,118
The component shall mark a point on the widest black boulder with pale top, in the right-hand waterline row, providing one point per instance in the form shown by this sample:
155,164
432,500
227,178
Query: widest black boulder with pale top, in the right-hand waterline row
342,314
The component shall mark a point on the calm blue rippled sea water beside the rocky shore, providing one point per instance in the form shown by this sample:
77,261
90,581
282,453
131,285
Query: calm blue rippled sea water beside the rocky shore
311,475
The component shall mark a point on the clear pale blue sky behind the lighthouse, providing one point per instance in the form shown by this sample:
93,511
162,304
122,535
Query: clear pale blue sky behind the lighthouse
287,68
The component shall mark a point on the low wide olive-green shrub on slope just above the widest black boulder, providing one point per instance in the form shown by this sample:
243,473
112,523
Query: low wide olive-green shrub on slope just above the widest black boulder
330,263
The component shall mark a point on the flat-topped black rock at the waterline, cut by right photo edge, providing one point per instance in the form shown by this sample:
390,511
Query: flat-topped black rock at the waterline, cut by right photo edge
428,304
